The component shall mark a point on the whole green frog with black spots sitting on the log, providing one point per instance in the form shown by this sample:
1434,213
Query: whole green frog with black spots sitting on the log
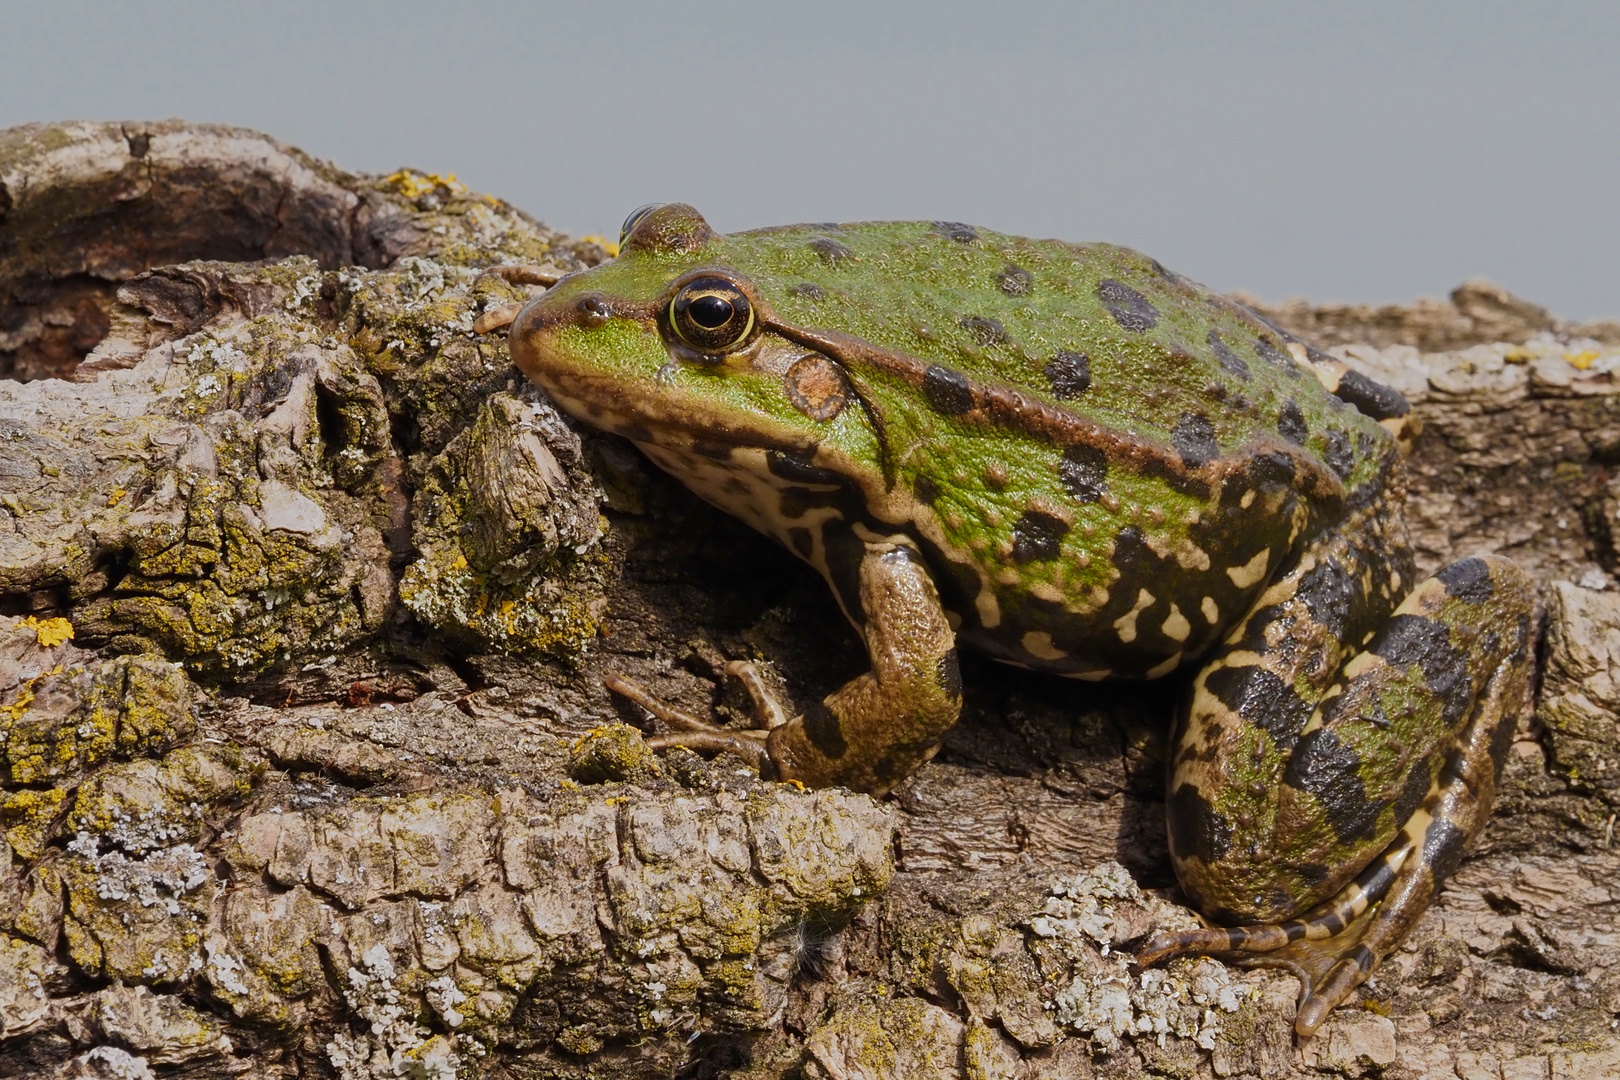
1073,461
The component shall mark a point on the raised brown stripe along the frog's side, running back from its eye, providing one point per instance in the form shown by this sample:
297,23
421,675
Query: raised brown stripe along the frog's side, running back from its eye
1007,409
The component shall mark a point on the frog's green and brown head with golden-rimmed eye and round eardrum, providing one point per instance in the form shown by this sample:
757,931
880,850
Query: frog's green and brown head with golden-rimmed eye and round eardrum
671,344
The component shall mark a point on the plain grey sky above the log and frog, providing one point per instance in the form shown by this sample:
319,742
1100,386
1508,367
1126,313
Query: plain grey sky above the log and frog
1360,151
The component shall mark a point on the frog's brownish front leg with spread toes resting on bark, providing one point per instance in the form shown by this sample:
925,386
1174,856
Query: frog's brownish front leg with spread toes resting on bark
879,728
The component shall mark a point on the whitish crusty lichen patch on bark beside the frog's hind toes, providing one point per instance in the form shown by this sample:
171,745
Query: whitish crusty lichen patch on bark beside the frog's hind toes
1106,1000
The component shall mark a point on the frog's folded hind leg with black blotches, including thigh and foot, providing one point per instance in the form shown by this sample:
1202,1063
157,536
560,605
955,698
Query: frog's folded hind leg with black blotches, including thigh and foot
1323,825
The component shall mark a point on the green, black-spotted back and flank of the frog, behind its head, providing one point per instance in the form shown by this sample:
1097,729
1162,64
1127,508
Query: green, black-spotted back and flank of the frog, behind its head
1104,461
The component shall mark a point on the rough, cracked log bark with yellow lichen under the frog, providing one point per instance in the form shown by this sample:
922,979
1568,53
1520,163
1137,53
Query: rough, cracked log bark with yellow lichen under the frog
325,781
